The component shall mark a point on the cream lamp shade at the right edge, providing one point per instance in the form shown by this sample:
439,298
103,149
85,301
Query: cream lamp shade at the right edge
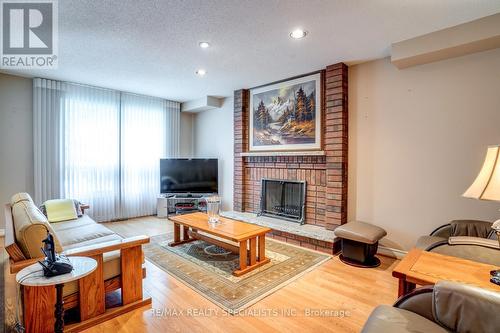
487,183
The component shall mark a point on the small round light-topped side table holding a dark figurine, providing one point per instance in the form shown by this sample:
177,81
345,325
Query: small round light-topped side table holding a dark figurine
32,276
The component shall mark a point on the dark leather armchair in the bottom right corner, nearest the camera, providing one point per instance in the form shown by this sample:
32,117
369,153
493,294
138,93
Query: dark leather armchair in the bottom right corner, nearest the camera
445,307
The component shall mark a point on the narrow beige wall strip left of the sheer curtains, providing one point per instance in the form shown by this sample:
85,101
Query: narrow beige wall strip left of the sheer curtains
16,138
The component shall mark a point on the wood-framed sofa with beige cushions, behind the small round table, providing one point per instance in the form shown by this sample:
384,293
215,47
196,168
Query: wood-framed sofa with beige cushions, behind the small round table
120,263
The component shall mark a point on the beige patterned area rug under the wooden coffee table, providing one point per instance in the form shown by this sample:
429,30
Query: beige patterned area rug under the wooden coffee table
211,274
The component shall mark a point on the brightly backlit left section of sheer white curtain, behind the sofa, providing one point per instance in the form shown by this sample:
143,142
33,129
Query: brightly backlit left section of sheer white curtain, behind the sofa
91,156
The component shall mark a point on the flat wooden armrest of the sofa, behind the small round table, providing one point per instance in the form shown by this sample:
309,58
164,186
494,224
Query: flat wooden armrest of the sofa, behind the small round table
87,251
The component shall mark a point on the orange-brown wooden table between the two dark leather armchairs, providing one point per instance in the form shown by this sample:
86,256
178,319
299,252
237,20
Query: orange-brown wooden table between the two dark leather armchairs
424,268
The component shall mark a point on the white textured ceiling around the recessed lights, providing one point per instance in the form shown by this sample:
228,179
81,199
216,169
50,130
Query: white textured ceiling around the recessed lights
151,47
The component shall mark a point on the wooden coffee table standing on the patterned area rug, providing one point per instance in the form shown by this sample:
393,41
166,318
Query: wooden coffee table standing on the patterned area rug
245,235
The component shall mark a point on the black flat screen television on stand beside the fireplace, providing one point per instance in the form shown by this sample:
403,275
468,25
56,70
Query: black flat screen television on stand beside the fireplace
193,175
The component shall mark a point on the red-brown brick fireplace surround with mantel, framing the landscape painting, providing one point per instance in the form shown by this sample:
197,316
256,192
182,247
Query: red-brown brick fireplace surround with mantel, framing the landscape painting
325,171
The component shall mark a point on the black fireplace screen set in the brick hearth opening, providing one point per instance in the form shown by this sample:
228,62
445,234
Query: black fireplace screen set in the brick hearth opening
283,199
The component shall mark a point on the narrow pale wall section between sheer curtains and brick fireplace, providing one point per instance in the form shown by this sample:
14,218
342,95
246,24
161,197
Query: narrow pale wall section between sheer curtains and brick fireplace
214,138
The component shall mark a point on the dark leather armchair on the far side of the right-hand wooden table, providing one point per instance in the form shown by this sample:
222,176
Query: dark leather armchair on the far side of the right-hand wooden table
468,239
